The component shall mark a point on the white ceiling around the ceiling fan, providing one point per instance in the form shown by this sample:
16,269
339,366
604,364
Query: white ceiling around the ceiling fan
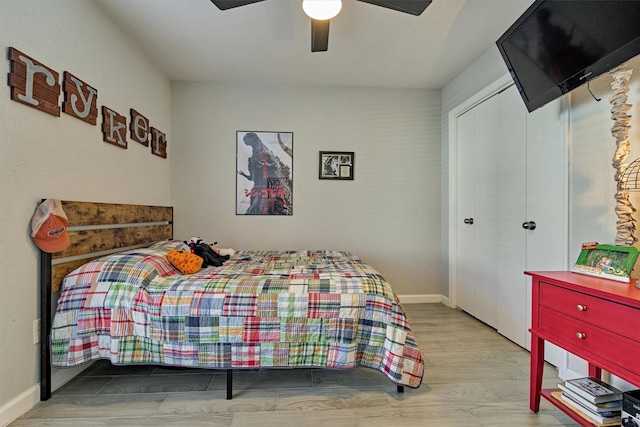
270,42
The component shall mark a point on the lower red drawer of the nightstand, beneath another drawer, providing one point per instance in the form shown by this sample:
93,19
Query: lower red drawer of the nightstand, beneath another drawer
590,339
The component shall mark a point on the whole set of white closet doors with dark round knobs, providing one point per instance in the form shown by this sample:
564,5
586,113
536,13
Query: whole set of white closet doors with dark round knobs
511,165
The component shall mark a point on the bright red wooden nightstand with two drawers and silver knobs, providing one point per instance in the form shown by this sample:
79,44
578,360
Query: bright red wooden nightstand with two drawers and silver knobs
595,319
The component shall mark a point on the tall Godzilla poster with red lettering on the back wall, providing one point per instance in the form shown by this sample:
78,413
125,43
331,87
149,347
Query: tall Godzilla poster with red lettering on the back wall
264,179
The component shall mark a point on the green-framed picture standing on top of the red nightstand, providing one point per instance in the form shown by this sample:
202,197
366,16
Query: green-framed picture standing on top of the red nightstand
608,261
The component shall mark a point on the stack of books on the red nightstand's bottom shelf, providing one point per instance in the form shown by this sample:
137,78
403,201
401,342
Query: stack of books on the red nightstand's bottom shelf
592,398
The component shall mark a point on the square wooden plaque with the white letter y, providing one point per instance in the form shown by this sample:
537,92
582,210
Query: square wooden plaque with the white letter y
80,99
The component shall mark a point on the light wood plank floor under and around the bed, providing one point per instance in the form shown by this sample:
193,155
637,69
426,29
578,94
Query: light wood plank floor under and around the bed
474,377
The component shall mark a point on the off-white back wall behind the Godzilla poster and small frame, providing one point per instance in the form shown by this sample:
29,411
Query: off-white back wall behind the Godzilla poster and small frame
389,214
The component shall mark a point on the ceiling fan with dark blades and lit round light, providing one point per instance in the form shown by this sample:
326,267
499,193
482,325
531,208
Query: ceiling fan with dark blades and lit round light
320,23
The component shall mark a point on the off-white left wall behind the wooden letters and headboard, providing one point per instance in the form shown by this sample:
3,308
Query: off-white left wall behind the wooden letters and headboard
43,156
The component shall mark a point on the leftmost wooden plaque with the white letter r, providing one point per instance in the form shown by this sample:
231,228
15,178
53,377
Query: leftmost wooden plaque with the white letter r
33,83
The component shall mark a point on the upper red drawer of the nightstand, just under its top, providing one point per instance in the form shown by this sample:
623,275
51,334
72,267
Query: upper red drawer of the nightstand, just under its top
614,317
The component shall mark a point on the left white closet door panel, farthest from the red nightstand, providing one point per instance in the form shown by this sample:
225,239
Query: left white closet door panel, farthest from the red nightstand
477,200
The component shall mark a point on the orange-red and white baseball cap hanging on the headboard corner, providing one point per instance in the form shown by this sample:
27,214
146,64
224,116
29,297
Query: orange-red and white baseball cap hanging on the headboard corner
49,226
